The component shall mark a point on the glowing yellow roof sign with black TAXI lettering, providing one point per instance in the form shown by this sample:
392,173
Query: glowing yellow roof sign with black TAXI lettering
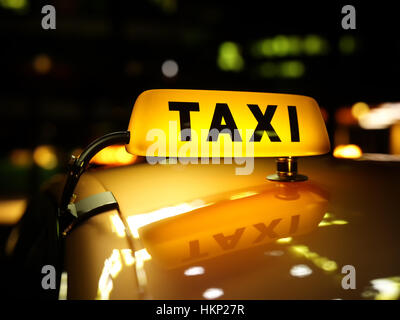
210,123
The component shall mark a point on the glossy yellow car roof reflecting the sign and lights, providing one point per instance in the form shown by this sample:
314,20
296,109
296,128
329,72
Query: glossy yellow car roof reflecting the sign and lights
200,231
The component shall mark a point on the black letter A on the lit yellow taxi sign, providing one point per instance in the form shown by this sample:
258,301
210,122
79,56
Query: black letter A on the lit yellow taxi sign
222,112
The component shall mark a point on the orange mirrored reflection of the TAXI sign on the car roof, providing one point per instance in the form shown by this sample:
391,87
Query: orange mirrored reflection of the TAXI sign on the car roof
213,230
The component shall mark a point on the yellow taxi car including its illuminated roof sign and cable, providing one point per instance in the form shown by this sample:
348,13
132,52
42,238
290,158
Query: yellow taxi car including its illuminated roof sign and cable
211,214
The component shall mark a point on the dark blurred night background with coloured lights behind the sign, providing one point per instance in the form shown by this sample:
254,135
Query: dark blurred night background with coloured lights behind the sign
60,89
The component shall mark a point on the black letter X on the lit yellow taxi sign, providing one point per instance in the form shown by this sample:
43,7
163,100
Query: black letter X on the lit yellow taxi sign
264,123
